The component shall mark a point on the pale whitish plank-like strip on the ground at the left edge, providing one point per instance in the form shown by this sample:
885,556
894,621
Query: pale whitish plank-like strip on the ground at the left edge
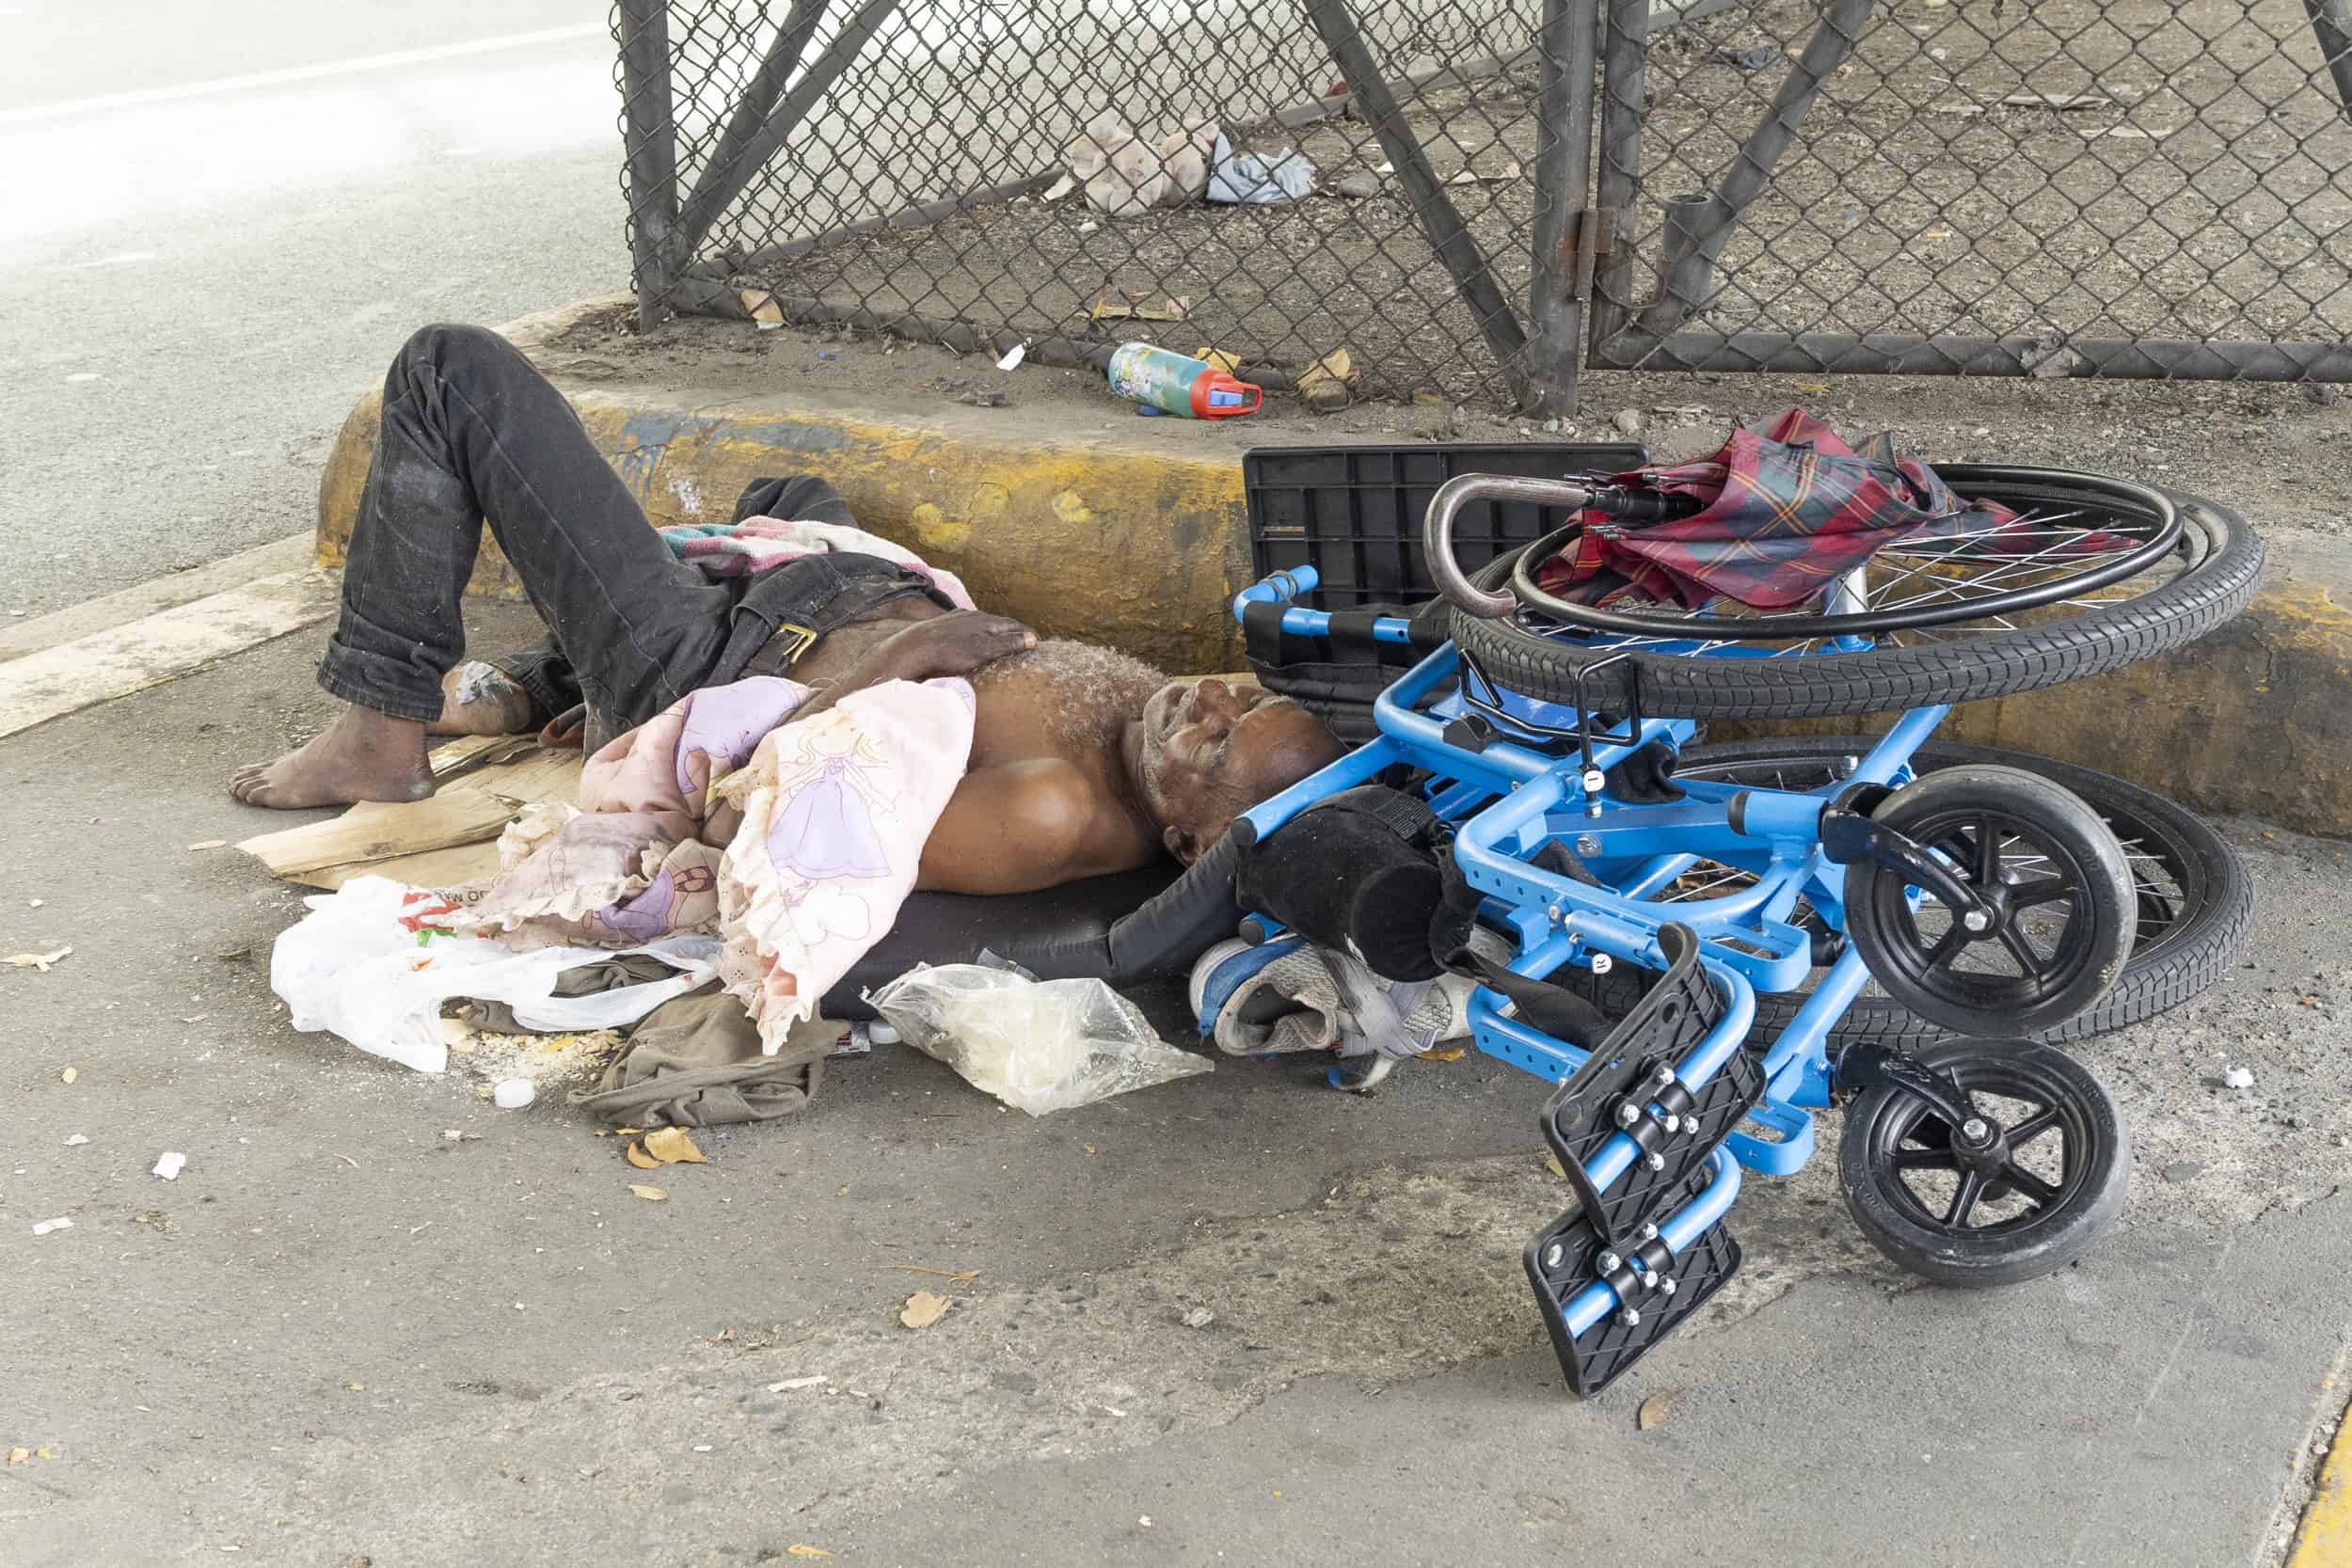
159,648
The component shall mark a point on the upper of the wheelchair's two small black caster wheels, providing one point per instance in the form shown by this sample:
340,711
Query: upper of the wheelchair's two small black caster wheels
2057,904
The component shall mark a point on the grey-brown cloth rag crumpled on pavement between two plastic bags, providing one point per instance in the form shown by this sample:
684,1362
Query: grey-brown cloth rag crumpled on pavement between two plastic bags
695,1061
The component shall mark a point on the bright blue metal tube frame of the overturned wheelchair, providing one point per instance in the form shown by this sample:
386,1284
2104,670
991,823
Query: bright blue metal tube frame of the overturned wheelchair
1509,798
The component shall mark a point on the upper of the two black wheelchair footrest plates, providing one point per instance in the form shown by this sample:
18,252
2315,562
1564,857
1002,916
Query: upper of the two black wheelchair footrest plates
1629,1087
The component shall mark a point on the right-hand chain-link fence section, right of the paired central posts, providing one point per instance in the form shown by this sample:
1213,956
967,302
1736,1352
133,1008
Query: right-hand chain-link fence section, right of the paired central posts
1989,187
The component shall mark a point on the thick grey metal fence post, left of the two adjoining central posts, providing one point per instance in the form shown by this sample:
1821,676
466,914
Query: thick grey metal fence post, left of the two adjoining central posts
1565,229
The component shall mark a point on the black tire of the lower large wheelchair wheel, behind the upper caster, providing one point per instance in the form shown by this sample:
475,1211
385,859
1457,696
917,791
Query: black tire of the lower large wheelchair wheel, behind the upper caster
2193,894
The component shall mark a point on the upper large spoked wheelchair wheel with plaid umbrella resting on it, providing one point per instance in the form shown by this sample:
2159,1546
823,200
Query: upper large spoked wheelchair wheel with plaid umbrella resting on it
1935,622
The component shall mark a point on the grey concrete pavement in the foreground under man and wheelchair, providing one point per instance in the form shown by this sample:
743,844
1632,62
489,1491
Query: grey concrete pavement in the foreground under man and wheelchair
347,1336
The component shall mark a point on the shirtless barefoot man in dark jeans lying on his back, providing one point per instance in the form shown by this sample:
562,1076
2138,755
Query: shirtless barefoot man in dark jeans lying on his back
1083,760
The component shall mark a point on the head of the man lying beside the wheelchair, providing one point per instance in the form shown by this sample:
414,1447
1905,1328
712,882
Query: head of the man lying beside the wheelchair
1210,751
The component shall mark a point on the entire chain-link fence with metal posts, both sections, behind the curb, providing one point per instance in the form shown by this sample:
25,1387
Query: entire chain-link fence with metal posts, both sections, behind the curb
1478,196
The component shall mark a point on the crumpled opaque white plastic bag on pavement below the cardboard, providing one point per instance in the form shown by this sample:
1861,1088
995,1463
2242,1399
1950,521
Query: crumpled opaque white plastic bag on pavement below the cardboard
354,965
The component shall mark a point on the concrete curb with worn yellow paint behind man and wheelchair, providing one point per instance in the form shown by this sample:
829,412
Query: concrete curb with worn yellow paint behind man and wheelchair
1121,542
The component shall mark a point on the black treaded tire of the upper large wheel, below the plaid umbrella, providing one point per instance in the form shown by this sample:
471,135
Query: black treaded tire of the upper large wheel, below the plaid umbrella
2221,563
